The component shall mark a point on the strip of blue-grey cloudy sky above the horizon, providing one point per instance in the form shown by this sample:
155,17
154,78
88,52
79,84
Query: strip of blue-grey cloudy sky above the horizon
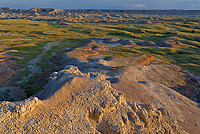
103,4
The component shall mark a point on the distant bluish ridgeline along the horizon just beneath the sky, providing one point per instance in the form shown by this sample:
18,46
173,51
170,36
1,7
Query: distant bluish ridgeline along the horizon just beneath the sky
53,11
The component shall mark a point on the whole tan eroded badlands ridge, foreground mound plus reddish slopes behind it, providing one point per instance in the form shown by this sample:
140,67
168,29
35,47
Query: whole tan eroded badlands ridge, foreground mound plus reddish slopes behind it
85,96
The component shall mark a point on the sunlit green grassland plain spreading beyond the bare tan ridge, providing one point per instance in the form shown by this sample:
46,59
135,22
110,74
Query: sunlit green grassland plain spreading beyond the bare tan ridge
34,35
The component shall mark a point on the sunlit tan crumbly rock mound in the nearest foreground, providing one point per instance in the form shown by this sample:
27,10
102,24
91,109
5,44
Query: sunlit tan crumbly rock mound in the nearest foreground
74,102
